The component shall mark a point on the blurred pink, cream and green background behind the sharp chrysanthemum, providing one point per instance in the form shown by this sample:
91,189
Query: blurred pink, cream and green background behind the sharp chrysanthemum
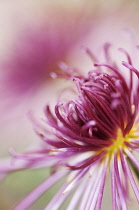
35,37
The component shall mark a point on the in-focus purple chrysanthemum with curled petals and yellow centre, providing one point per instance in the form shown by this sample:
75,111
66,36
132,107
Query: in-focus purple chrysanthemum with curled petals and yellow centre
91,136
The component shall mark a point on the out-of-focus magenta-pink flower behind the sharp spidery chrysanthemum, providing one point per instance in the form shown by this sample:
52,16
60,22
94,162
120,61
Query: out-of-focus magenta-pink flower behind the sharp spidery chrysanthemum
36,52
